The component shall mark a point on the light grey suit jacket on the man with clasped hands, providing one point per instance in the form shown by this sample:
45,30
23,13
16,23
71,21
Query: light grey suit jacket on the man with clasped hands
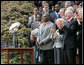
44,36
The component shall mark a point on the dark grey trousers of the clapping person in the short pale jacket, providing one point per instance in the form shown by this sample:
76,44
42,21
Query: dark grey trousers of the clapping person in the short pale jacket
58,56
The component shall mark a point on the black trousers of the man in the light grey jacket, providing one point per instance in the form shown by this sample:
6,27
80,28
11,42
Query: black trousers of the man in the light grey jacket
47,57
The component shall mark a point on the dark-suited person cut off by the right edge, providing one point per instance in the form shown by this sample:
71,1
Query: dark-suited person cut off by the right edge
79,16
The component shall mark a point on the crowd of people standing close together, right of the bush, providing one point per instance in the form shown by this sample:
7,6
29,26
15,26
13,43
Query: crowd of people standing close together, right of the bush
56,32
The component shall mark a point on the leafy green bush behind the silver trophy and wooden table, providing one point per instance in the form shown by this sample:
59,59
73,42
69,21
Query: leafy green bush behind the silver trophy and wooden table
11,12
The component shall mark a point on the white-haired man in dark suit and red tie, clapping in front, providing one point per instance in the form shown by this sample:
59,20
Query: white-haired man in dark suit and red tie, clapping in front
69,38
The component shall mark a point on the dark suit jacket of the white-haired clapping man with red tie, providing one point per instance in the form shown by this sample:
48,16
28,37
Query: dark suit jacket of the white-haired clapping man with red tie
69,34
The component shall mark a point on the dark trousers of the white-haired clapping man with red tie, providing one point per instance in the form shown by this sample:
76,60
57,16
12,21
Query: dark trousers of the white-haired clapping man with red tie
70,55
